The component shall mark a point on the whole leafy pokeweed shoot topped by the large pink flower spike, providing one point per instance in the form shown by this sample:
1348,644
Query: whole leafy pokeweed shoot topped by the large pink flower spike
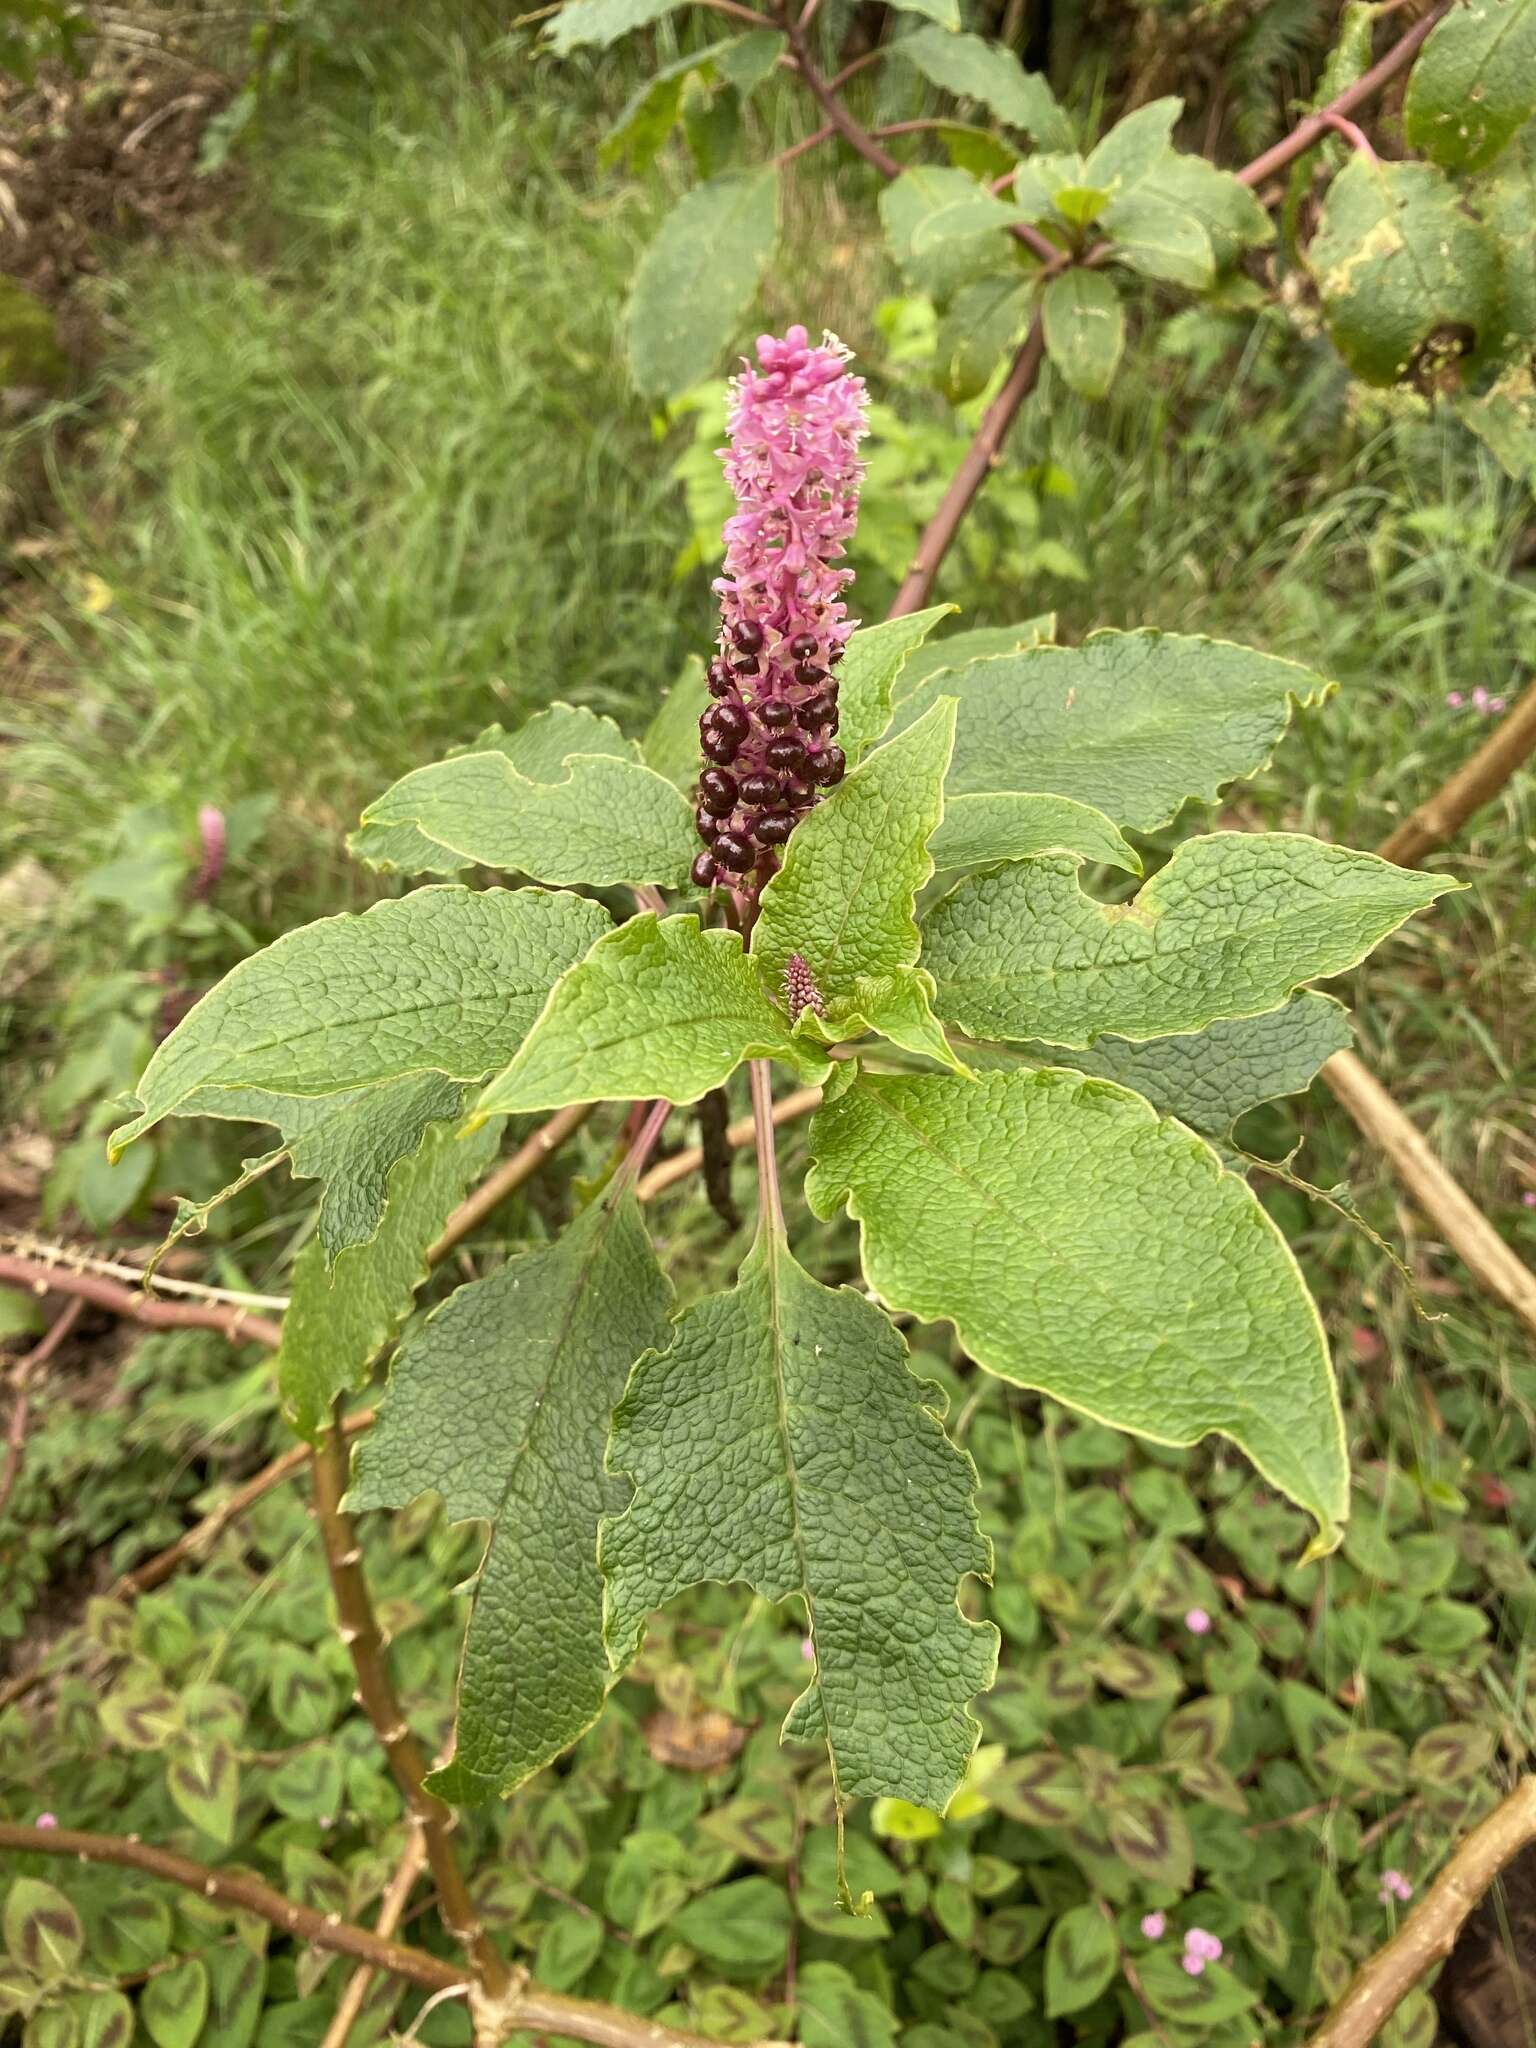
1027,1099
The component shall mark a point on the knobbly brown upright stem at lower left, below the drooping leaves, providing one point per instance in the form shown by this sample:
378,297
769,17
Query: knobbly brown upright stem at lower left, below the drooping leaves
380,1701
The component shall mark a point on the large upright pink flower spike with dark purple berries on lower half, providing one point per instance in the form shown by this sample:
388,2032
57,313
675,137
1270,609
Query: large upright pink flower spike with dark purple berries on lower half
769,736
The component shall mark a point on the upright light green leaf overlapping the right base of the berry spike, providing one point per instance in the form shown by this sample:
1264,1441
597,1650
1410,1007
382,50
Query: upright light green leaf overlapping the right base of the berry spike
847,894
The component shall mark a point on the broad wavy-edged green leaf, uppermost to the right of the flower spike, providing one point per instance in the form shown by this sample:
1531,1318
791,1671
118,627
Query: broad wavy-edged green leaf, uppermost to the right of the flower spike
1132,724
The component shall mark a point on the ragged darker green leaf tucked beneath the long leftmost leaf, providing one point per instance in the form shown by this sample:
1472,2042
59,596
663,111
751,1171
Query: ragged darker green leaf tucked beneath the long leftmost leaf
347,1142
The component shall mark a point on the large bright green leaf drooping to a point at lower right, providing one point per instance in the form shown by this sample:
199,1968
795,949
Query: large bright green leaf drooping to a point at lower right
1007,1207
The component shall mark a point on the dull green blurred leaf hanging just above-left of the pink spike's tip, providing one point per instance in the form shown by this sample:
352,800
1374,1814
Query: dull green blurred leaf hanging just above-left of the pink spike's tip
699,278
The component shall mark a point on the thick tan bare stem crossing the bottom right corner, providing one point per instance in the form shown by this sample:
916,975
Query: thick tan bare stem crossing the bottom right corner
1431,1930
